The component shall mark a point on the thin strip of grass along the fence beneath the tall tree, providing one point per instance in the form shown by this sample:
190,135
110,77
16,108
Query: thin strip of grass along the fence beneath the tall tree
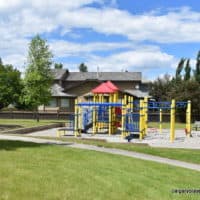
27,122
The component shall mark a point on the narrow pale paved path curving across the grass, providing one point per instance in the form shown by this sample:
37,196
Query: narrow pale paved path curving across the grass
107,150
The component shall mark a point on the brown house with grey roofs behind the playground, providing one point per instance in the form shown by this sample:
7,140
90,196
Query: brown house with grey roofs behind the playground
70,85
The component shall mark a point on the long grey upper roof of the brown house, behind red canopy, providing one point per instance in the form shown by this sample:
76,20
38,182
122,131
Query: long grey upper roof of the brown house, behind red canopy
104,76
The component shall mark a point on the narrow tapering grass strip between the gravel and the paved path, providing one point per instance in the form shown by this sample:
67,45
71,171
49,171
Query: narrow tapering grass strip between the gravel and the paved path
188,155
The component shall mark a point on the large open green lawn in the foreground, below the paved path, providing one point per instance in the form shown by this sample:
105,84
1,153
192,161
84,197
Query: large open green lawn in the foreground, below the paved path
35,171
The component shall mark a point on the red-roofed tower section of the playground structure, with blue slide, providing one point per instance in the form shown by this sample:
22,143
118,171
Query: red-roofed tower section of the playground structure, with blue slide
103,113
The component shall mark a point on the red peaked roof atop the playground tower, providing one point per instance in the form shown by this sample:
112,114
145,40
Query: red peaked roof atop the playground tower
105,88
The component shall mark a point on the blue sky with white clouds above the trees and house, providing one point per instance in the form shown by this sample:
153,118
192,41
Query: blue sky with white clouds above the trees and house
114,35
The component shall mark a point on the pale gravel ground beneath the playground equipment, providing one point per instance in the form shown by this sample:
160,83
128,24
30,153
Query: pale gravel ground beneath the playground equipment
153,138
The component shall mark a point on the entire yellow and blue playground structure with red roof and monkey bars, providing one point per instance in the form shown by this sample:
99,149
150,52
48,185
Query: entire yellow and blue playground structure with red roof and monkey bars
109,112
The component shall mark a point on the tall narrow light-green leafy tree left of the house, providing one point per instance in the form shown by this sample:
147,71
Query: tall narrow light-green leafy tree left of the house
38,75
